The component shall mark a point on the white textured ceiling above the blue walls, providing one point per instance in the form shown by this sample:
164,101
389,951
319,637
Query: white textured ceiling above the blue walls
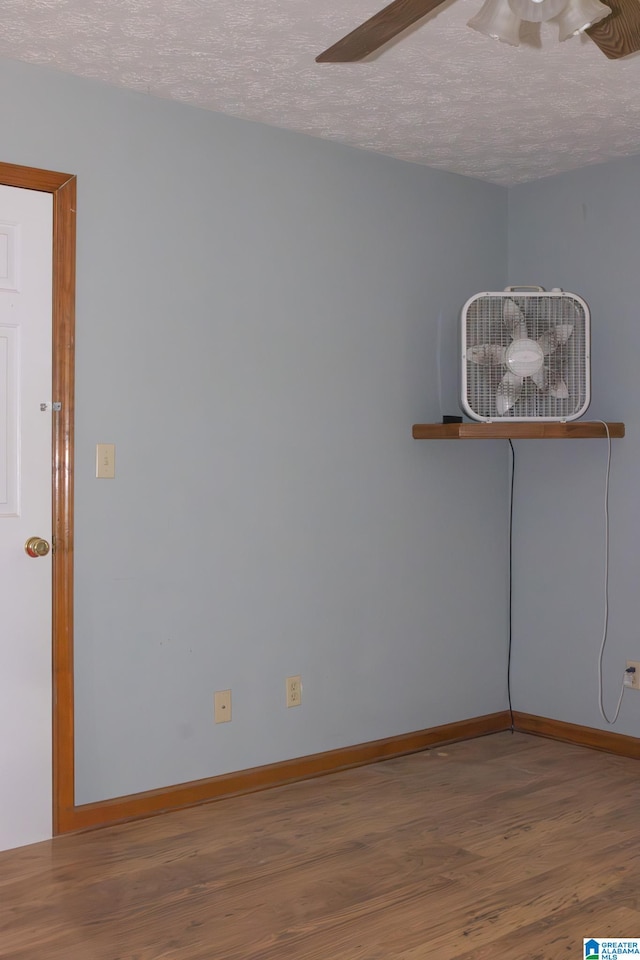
441,94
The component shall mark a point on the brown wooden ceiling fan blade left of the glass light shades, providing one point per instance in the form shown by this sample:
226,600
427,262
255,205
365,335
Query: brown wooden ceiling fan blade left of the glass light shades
374,33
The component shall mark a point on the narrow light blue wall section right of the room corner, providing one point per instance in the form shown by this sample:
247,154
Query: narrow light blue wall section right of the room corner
581,231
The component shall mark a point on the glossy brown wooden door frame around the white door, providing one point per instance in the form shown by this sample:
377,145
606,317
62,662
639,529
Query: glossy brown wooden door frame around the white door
62,187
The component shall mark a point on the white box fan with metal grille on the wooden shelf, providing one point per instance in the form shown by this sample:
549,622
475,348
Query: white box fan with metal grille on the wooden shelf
525,355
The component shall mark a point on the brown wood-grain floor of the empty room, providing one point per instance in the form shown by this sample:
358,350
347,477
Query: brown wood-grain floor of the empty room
508,846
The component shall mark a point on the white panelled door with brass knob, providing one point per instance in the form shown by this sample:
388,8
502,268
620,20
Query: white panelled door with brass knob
26,243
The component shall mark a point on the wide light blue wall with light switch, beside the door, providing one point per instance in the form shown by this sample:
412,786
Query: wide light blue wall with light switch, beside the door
257,329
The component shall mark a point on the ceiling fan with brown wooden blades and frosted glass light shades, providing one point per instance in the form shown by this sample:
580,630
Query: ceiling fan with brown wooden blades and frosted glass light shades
614,28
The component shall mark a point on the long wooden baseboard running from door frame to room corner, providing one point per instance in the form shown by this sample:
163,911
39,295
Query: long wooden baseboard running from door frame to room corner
152,802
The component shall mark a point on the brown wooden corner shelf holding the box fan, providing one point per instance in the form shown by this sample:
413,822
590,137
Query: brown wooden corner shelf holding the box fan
501,430
